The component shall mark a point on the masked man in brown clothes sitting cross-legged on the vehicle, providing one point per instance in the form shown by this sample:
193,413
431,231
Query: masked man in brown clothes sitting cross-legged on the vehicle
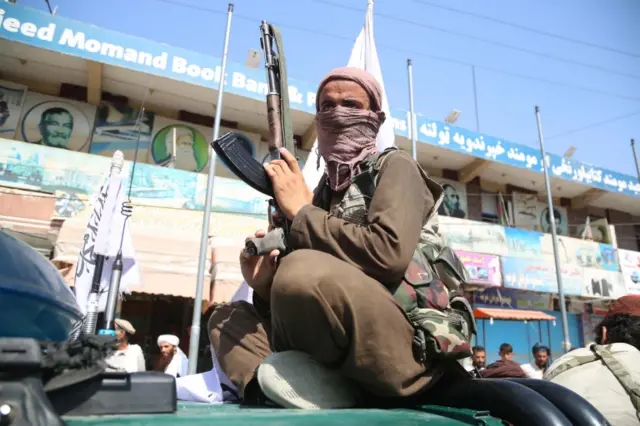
359,309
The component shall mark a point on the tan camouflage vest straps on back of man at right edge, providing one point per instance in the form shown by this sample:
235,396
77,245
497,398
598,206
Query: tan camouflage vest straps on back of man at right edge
603,353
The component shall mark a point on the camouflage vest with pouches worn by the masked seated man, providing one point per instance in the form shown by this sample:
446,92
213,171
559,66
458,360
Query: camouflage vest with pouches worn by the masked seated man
430,292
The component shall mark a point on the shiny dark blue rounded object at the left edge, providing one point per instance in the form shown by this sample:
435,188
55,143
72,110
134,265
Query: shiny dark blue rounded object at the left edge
35,301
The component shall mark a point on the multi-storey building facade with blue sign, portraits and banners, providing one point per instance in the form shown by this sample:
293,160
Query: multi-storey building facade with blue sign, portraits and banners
72,94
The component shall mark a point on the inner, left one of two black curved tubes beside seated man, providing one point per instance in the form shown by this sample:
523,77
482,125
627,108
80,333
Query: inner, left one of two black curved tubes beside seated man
506,400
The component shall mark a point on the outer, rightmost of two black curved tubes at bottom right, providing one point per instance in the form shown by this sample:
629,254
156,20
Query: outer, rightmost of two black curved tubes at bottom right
576,408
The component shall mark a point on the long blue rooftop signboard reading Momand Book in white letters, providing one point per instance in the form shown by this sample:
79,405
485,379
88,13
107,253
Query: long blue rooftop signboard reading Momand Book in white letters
82,40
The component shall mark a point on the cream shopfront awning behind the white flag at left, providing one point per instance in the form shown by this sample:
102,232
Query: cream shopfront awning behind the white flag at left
166,242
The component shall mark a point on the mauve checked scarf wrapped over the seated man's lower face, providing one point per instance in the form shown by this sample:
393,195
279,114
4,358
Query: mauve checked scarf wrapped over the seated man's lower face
346,136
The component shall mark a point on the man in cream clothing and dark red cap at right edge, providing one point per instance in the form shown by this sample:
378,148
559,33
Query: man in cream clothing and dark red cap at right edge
607,372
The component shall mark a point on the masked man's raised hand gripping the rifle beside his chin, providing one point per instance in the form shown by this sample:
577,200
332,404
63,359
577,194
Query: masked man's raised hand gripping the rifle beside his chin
290,190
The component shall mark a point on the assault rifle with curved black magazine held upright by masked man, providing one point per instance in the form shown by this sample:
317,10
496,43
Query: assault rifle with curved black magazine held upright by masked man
232,153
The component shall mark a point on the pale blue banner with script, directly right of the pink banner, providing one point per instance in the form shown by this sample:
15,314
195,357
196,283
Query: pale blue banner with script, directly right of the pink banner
532,275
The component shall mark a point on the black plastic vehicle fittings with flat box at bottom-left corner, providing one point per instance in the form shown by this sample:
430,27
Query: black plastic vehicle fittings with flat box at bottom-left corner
39,382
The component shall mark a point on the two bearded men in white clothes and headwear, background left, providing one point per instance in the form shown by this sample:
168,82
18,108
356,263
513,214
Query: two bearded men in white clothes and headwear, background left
130,358
